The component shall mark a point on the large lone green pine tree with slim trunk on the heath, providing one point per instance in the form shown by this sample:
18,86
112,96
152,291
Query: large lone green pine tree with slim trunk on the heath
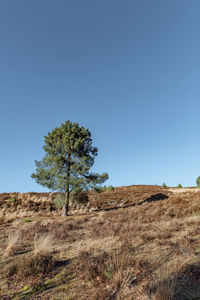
67,162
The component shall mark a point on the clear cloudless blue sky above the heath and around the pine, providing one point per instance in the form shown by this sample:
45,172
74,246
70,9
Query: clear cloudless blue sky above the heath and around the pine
127,70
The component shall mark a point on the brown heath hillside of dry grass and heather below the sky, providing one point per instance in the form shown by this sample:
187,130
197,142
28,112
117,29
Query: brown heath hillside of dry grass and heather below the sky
136,242
